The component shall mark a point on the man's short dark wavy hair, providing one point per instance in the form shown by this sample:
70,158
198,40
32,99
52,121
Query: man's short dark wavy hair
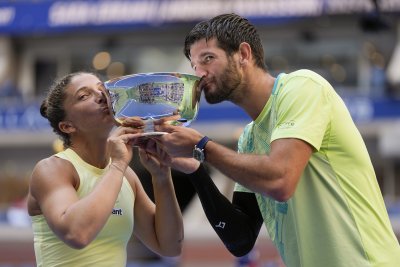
230,30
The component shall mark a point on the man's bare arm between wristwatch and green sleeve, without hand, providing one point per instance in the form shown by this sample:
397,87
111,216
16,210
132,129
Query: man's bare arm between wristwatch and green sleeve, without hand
275,175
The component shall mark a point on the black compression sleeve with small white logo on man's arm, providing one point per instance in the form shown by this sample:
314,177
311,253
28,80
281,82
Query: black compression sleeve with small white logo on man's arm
238,223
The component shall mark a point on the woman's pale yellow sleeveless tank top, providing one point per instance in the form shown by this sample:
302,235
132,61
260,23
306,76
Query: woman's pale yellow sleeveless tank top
109,247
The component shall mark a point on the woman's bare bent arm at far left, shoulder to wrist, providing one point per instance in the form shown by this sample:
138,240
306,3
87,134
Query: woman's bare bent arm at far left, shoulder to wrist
75,221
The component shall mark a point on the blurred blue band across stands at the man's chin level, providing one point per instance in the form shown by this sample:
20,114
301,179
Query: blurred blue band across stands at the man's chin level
25,116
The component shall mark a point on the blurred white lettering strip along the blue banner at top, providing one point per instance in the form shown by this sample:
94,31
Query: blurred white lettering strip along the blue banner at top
78,13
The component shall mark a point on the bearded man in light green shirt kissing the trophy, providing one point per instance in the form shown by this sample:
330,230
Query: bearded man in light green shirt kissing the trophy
302,167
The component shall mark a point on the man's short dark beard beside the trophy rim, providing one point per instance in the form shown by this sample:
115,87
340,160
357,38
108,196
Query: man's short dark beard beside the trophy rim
225,86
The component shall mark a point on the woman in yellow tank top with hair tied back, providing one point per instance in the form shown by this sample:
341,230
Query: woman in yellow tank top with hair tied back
85,201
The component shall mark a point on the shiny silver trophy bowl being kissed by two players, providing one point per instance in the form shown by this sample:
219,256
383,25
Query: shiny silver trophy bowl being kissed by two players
172,97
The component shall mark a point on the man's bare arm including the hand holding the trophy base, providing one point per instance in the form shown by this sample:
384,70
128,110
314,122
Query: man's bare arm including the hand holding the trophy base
275,175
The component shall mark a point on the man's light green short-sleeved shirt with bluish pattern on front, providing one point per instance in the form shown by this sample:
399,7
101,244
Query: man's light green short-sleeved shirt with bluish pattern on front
336,217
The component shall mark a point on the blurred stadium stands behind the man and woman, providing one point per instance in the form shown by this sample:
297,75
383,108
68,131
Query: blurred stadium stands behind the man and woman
354,44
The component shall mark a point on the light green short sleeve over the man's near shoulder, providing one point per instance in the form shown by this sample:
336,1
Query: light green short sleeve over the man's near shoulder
302,111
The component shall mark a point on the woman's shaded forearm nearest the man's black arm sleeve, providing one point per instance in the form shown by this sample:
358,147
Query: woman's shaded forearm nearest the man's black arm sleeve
159,225
